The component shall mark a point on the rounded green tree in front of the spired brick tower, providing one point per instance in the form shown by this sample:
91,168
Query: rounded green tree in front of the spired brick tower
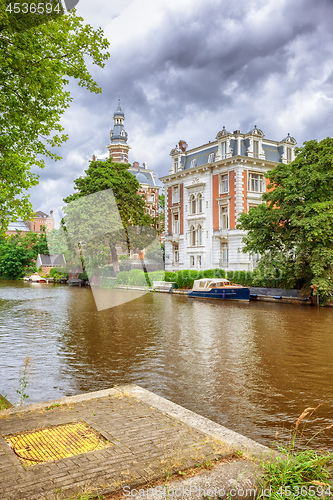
119,218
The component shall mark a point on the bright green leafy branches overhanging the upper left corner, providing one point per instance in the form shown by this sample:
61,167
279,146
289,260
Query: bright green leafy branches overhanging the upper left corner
36,63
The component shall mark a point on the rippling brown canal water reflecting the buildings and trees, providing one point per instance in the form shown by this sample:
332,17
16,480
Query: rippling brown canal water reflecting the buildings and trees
253,367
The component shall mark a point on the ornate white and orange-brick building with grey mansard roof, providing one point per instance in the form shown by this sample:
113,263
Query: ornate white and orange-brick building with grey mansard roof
206,190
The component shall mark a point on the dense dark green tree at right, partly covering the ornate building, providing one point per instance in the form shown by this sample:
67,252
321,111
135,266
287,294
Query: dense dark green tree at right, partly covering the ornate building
293,228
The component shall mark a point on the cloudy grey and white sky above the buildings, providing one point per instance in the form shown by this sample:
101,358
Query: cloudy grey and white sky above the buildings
185,68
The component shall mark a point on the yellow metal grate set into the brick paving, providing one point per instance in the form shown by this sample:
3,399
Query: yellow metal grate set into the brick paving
54,443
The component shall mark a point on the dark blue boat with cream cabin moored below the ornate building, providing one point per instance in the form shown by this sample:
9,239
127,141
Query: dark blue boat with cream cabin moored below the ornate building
219,288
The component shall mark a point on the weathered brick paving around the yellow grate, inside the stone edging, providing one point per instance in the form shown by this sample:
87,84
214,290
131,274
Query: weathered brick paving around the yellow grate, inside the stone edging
148,444
